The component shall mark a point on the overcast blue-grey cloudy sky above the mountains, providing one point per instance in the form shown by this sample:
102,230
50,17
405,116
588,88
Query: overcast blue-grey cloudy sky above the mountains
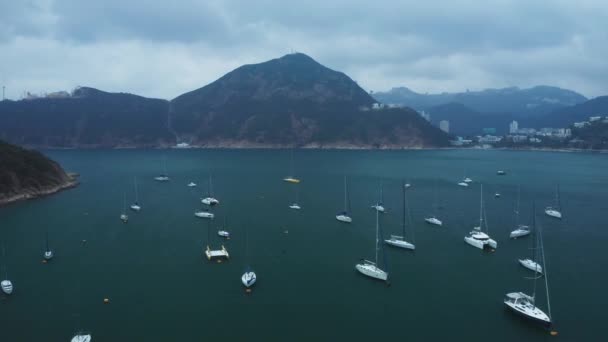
165,48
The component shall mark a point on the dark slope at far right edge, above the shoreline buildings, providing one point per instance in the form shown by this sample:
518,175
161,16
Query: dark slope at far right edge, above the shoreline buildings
566,116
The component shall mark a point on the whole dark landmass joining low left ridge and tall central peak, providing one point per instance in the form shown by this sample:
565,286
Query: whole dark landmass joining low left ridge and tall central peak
292,100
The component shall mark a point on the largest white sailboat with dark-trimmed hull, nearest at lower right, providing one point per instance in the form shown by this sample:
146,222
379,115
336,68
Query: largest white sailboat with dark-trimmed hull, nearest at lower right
525,305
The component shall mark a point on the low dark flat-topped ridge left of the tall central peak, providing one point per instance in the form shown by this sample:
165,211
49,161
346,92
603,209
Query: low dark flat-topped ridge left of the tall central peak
86,118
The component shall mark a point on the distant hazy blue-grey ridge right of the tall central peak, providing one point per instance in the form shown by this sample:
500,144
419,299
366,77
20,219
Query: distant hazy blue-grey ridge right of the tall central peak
532,101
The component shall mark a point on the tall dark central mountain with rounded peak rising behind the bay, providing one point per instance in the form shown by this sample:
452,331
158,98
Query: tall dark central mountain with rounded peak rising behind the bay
294,100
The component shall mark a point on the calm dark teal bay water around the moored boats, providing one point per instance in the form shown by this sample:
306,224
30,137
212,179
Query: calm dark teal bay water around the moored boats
162,289
